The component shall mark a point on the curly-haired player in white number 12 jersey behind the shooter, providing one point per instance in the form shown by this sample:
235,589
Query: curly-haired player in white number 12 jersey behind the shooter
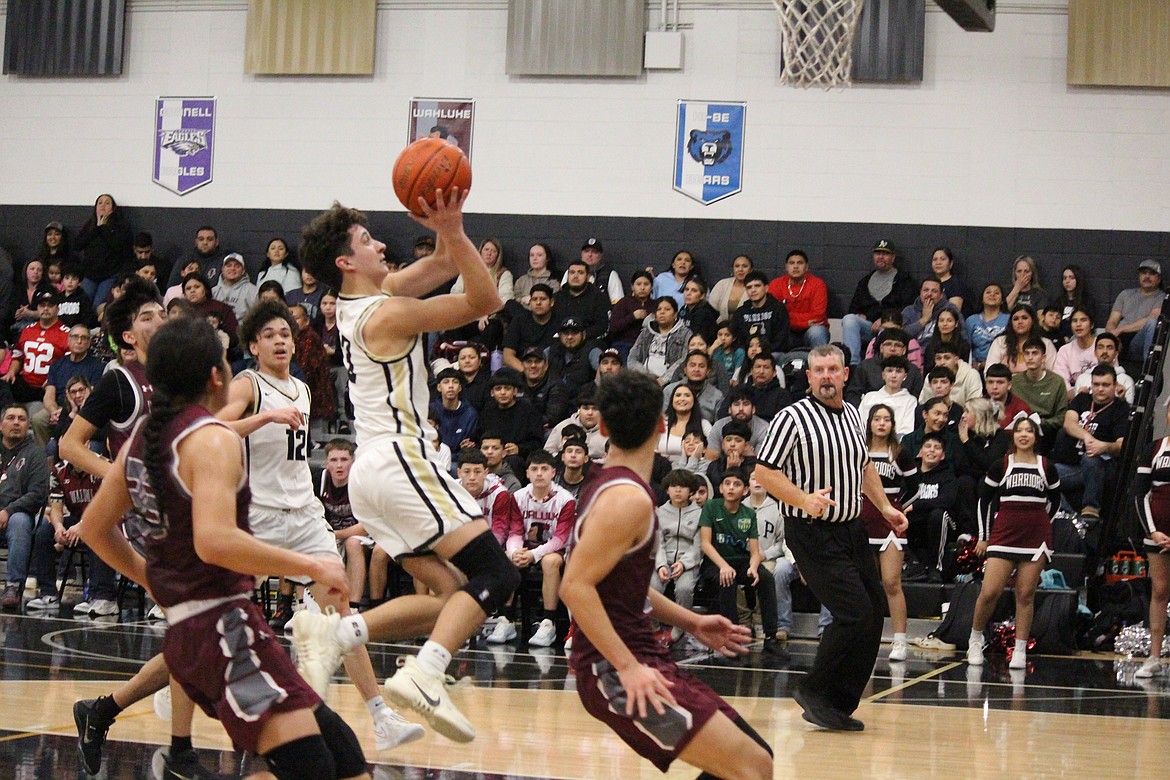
271,409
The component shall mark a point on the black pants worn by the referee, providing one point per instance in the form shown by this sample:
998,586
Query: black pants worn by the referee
838,565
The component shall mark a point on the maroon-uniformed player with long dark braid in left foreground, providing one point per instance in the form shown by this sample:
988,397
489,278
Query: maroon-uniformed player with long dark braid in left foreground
183,475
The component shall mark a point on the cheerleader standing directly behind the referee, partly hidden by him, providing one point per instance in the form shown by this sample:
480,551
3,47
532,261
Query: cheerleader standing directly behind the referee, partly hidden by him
894,466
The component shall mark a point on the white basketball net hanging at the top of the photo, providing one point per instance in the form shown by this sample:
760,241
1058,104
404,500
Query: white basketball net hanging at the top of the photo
818,42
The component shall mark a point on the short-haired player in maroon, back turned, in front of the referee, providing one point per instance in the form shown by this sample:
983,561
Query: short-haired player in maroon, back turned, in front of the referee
625,679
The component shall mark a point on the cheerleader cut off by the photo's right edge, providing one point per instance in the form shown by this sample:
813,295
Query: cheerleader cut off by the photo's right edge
1152,488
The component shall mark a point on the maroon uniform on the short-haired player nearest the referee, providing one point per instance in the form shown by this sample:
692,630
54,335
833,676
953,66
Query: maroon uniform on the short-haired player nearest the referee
624,593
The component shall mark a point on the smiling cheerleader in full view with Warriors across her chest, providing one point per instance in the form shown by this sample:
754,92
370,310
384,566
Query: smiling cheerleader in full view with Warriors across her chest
1018,499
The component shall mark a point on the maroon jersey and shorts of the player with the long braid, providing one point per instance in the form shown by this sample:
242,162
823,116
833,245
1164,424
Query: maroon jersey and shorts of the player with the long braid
218,646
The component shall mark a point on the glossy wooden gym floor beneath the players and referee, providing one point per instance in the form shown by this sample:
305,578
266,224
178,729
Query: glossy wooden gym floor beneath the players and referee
931,716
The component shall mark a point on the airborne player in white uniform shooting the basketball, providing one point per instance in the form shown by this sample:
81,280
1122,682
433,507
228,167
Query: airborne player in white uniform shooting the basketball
408,503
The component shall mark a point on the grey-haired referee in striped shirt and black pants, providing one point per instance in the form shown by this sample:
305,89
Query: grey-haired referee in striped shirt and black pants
815,461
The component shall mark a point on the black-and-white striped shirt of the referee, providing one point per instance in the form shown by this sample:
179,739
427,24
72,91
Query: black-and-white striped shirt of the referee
817,447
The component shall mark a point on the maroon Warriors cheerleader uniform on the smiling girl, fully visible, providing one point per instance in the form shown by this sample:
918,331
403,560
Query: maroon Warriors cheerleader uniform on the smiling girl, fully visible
1021,499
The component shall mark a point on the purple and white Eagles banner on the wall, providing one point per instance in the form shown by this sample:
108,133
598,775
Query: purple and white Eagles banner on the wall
184,143
